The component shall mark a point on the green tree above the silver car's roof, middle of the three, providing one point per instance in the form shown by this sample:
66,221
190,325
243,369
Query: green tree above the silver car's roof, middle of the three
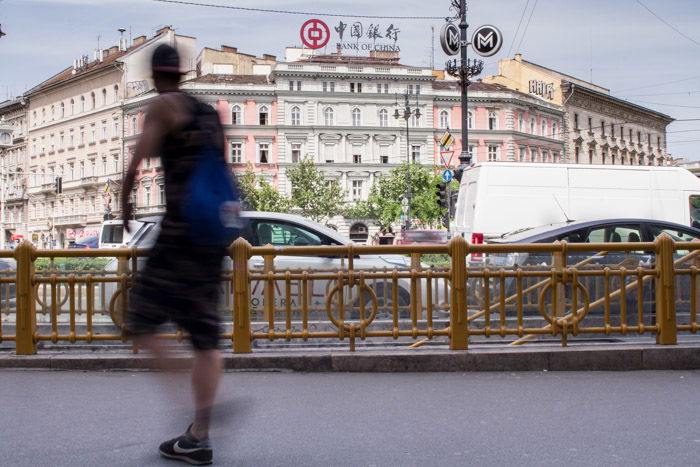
316,196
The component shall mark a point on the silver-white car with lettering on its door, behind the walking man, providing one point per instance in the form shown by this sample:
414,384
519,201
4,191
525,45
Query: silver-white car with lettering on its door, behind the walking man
283,230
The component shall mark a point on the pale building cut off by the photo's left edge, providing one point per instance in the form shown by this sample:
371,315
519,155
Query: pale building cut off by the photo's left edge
13,148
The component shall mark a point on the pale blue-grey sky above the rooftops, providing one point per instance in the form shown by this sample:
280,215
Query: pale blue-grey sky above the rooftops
645,51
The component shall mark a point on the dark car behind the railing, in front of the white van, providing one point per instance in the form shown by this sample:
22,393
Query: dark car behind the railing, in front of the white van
597,231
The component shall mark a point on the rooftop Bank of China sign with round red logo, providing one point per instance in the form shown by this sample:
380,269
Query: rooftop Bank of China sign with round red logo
357,36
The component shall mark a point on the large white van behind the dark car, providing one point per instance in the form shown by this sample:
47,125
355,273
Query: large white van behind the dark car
499,197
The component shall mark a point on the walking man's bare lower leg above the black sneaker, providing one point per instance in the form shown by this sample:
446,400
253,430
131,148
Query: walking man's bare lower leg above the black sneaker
206,371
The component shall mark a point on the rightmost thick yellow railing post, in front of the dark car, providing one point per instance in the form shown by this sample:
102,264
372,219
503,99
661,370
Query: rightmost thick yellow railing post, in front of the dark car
665,293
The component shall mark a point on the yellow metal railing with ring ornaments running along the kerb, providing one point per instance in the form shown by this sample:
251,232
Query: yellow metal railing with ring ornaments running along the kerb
571,290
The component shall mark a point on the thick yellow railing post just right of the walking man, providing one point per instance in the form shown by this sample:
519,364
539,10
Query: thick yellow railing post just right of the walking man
241,297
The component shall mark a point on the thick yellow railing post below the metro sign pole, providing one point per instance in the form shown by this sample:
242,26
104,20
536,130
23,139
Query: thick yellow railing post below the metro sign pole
459,328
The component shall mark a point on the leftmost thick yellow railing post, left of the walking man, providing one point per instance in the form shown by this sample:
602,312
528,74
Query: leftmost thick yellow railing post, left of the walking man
25,322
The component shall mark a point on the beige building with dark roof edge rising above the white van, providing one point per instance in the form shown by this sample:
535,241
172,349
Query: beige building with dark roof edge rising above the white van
598,127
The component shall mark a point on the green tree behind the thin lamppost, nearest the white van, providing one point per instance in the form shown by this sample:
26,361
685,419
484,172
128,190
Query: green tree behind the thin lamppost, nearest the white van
384,201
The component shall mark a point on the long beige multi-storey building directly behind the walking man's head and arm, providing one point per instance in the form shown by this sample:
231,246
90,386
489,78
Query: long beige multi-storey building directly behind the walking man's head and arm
75,144
